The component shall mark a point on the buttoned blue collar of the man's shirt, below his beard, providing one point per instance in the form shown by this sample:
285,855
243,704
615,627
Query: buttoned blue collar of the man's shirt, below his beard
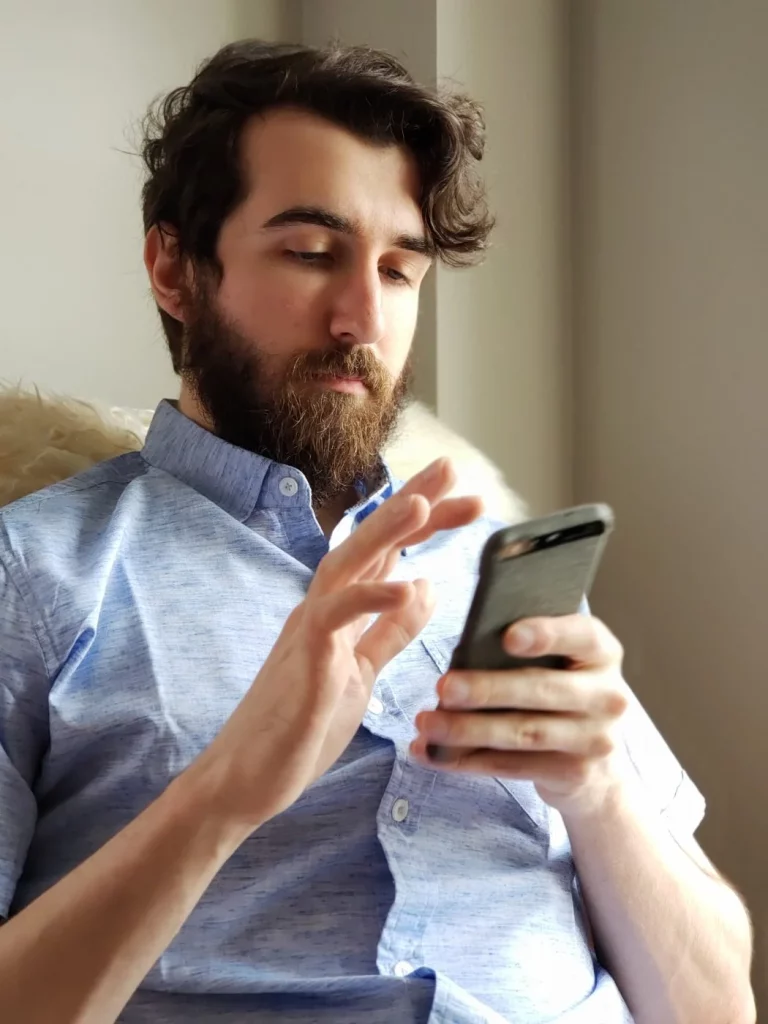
237,481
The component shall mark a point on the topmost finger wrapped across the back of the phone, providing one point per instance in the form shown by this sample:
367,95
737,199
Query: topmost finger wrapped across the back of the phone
586,642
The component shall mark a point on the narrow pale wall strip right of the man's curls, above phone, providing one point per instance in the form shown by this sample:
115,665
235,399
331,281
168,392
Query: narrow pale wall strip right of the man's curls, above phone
503,349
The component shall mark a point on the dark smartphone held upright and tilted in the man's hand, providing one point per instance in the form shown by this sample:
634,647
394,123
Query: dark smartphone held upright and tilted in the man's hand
544,568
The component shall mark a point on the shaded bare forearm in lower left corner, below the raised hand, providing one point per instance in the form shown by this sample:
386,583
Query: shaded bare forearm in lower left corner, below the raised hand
82,949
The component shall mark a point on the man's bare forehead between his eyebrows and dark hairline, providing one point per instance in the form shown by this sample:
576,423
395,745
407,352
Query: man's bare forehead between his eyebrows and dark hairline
292,158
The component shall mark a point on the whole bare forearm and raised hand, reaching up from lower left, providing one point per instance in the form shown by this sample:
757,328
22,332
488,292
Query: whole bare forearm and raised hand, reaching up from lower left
96,933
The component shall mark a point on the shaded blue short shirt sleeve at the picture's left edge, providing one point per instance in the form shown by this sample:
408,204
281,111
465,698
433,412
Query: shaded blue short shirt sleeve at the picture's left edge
24,732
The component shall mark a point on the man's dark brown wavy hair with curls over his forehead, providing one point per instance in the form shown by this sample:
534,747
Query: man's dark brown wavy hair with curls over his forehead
192,138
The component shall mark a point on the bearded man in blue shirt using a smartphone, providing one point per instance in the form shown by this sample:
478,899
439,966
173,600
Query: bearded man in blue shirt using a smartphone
216,792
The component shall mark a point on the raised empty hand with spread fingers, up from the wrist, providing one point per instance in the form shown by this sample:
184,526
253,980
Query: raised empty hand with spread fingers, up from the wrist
309,700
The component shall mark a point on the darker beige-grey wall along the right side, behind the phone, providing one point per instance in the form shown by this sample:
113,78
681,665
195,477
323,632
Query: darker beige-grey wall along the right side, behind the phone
671,260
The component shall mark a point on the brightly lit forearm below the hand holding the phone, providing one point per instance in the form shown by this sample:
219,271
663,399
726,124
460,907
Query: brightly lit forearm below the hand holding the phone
676,940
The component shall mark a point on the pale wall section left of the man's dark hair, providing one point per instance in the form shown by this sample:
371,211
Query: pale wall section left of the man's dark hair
75,78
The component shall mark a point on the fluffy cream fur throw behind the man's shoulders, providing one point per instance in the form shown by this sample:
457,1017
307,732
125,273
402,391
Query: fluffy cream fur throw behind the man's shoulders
46,439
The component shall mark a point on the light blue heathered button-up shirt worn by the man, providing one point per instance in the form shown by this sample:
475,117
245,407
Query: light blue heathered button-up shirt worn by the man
138,603
